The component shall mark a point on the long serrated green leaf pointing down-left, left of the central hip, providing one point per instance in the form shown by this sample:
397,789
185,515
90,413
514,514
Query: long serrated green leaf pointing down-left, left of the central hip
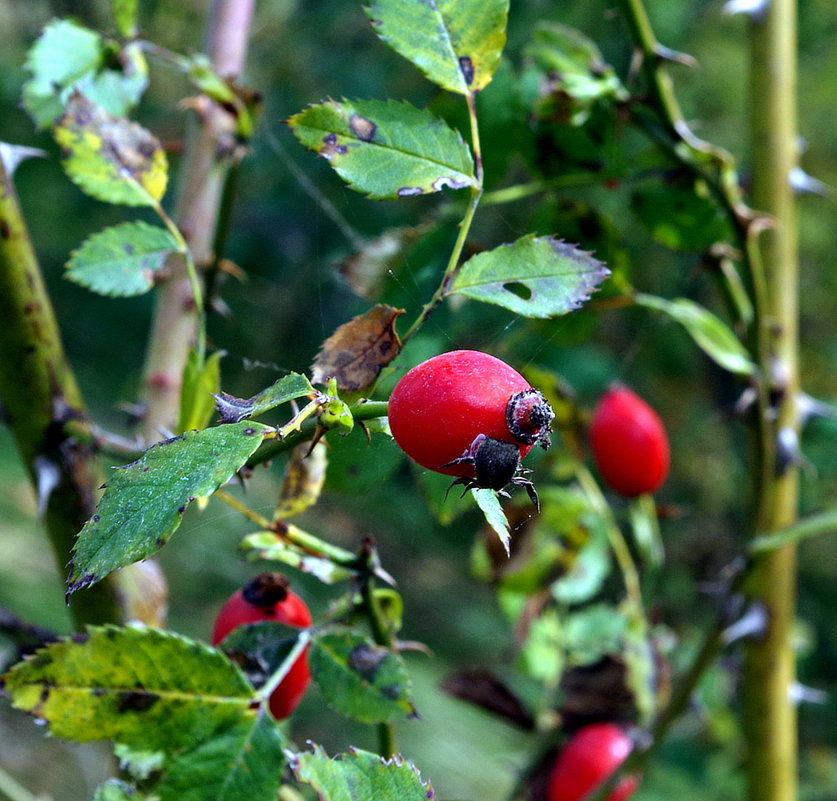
144,501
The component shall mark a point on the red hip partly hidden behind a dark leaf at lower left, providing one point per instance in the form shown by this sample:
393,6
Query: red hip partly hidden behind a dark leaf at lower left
267,597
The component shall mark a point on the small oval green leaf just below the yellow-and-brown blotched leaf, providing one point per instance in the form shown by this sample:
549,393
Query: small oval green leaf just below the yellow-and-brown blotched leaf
121,260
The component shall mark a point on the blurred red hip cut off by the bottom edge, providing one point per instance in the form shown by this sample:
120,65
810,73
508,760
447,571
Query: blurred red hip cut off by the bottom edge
588,759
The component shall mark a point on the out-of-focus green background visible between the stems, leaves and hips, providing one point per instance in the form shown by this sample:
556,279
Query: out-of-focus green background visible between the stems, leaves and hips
294,297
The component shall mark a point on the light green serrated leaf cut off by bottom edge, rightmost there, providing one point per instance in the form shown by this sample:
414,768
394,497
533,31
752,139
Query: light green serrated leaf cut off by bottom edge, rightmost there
361,776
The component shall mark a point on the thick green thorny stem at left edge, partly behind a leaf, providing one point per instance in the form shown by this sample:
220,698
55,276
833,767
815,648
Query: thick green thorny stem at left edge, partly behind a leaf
41,398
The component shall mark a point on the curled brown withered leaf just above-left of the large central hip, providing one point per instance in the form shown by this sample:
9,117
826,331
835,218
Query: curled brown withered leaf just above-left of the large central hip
358,350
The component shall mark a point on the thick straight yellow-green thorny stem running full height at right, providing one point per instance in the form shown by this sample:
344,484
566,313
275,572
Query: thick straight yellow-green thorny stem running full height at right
769,667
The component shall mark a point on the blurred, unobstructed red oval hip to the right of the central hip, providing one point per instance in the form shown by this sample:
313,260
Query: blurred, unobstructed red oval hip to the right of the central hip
629,442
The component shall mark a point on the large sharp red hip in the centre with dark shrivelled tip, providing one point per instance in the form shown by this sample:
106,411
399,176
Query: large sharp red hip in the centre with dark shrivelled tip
468,414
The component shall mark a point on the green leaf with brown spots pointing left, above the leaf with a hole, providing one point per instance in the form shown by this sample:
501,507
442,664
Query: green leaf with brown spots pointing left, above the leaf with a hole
386,149
